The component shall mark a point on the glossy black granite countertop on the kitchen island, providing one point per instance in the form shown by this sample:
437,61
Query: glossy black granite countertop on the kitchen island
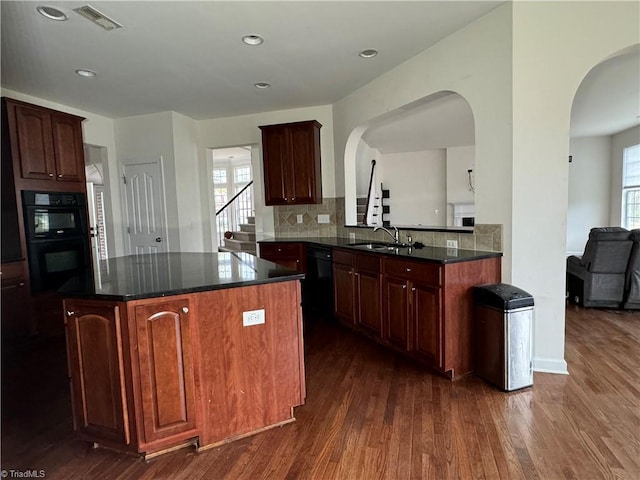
147,276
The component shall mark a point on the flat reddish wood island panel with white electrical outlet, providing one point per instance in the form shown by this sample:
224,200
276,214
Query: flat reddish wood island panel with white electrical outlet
255,377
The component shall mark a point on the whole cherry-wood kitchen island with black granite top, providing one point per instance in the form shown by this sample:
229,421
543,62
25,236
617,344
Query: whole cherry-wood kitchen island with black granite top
179,349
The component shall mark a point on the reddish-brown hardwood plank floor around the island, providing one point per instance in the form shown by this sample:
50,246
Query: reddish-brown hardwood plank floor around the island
371,414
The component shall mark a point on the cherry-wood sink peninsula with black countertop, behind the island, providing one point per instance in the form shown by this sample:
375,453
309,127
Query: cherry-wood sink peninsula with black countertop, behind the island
415,301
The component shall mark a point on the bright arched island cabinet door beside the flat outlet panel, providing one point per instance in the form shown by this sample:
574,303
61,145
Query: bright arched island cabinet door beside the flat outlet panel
166,368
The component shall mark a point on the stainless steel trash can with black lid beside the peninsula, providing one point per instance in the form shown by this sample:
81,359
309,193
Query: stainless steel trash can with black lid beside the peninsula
503,335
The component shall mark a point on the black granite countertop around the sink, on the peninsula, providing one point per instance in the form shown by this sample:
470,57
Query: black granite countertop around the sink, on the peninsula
429,254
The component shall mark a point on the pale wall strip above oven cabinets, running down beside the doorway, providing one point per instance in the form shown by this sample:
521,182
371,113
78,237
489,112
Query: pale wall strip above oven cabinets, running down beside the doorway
96,130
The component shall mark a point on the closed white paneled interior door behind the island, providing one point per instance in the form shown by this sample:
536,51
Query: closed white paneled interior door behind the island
146,225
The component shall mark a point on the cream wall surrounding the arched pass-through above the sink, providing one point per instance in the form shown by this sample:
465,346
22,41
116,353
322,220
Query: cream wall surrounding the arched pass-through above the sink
474,62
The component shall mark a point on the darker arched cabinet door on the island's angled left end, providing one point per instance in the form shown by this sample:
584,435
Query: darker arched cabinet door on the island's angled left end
95,356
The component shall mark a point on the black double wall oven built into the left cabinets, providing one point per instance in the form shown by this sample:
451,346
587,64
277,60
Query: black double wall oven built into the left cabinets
57,237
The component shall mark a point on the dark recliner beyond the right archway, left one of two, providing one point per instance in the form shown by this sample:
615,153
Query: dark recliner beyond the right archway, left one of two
597,278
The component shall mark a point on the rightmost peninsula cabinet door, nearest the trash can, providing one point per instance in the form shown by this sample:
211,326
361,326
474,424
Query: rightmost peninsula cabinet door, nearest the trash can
427,323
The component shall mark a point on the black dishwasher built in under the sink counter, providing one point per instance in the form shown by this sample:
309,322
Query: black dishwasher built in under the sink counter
318,283
